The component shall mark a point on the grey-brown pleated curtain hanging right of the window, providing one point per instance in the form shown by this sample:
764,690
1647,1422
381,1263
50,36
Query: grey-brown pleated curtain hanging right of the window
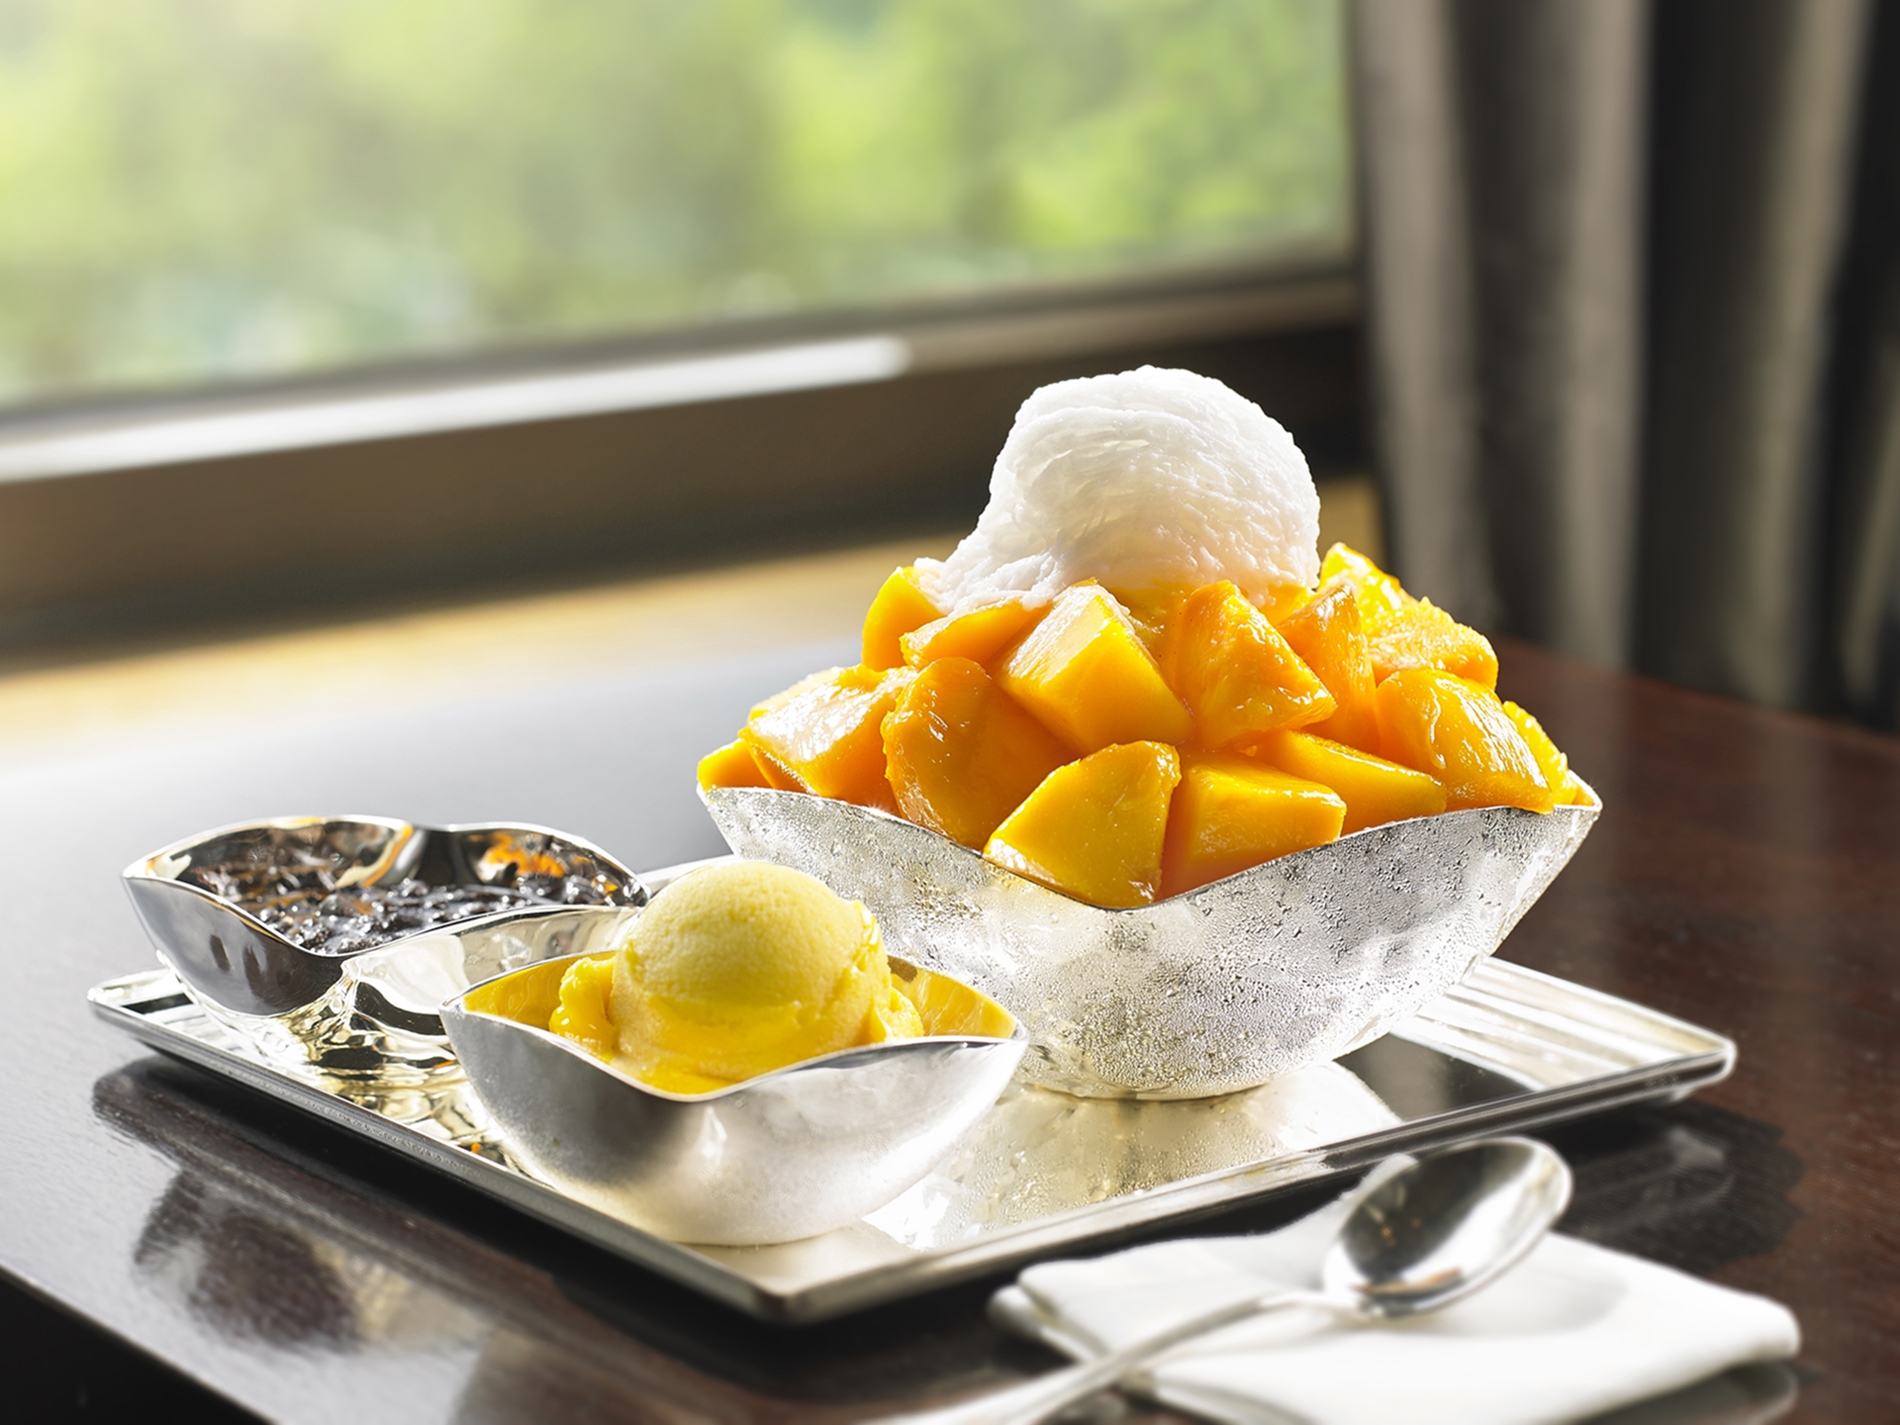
1631,273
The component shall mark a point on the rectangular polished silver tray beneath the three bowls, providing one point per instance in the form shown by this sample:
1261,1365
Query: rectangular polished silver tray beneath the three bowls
1044,1173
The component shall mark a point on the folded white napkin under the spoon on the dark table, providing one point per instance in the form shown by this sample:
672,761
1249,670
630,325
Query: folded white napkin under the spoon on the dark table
1570,1333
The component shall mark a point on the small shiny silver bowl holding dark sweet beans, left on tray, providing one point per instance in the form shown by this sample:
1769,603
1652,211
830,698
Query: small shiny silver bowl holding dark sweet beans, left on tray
364,1012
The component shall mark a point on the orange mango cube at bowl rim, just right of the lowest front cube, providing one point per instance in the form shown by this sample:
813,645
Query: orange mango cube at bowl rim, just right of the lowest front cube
1232,814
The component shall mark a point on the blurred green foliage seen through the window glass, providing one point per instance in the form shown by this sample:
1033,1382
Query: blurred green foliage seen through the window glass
200,189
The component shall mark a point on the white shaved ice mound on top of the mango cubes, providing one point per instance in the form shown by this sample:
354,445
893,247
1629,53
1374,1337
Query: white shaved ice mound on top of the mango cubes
1145,480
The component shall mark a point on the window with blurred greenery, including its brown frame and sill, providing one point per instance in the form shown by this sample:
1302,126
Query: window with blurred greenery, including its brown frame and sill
316,305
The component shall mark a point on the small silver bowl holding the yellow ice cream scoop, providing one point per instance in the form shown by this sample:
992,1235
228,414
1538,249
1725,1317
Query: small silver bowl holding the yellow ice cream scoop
791,1154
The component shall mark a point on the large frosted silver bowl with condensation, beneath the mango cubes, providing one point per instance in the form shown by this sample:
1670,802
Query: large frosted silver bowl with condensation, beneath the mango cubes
1223,989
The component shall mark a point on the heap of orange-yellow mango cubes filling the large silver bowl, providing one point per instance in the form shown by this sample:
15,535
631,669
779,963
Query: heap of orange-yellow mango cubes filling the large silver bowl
1128,751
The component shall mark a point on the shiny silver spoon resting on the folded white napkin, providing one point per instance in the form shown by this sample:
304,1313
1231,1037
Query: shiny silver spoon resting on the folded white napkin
1420,1234
